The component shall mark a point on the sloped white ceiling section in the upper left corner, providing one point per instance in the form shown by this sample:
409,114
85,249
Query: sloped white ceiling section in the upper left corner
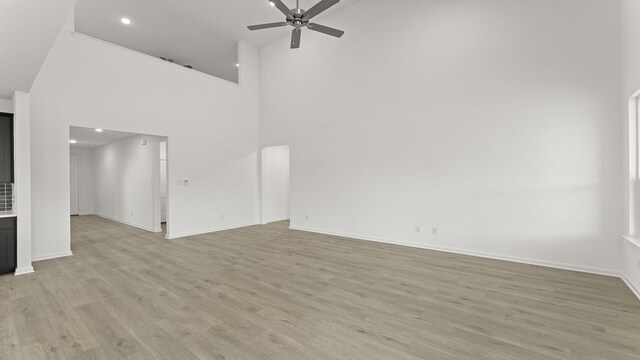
28,28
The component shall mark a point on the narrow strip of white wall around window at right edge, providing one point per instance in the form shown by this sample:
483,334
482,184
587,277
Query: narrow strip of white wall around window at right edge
630,12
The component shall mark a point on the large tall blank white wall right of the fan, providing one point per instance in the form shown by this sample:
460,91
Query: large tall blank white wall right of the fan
493,121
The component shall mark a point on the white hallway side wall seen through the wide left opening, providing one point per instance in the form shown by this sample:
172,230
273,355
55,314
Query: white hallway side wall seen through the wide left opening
127,181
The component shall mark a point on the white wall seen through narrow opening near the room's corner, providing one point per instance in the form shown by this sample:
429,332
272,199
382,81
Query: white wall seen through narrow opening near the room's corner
275,183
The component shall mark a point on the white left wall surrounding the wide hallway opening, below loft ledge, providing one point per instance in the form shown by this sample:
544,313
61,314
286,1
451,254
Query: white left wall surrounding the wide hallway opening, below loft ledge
212,127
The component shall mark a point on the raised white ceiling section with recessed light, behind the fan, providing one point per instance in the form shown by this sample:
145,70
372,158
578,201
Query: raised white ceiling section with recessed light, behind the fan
201,33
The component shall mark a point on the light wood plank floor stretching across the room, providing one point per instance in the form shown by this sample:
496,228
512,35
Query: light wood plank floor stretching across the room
266,292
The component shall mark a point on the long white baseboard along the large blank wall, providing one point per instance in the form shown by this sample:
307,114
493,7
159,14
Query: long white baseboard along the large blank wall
563,266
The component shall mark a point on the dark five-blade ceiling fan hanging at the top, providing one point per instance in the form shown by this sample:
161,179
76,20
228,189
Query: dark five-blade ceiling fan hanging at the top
299,18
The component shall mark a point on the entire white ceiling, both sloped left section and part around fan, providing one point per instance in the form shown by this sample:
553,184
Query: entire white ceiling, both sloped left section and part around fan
201,33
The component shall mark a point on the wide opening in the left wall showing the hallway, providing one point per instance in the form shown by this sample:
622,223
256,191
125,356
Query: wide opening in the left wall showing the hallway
119,176
